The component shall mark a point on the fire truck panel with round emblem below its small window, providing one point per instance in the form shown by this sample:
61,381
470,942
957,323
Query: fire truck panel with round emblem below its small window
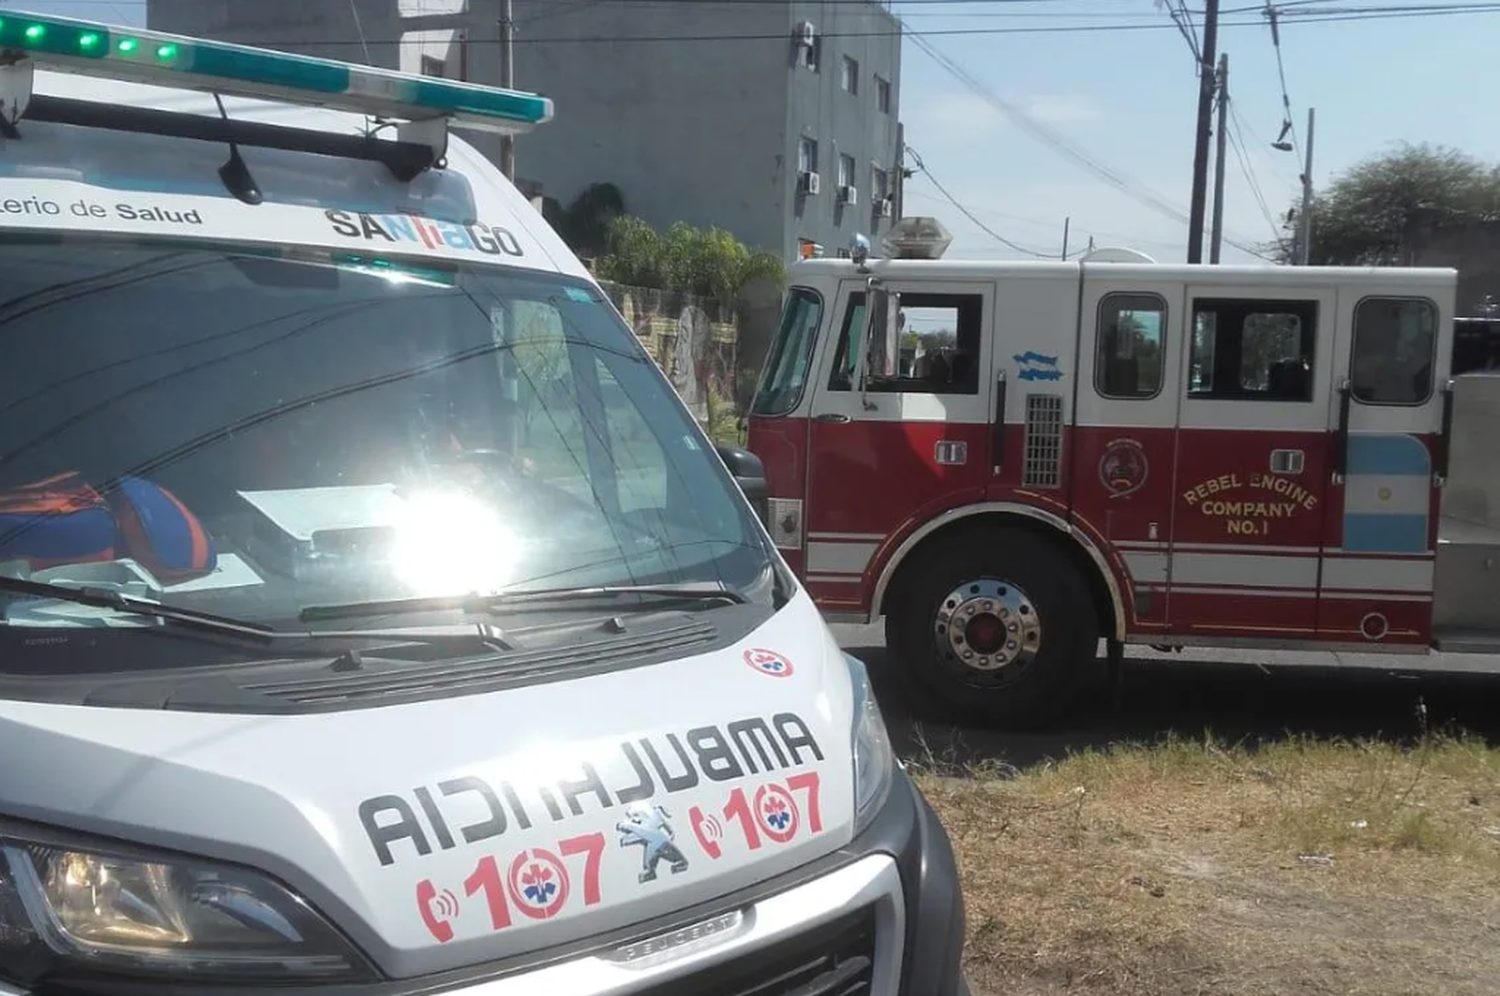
1126,440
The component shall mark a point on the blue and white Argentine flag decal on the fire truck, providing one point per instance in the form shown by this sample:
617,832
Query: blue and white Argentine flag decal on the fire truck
1388,494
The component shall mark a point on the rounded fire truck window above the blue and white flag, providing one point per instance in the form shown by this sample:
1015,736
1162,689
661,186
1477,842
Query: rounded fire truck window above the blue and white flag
1393,358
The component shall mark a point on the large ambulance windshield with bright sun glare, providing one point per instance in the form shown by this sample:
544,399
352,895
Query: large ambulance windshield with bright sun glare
242,434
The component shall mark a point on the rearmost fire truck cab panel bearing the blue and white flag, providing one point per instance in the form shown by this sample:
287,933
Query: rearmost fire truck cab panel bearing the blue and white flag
1388,418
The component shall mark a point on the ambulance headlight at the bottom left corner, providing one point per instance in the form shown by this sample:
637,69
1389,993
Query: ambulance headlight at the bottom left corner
70,911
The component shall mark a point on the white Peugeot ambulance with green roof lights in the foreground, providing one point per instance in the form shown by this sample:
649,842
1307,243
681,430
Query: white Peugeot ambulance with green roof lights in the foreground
374,619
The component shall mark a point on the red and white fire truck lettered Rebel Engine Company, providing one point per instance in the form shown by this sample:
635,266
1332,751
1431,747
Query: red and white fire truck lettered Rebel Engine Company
1013,461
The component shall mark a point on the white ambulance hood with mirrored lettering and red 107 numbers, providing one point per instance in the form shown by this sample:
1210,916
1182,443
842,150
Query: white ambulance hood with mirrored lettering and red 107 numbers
466,830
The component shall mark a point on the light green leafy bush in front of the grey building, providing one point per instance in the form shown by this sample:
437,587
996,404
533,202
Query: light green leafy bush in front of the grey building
704,262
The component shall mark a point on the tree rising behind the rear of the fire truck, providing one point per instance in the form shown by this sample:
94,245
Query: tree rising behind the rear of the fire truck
1364,215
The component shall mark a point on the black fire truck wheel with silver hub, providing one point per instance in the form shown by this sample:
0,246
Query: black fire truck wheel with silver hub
1046,643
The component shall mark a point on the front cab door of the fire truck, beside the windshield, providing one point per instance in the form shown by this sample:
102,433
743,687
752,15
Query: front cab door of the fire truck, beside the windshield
911,445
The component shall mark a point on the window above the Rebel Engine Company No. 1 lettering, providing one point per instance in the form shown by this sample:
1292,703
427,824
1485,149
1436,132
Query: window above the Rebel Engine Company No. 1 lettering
1253,350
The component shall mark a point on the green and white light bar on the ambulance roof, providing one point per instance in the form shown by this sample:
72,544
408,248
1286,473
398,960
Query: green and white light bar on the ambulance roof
154,58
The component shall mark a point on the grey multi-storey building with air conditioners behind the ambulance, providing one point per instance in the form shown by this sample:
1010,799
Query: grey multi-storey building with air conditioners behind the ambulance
776,121
